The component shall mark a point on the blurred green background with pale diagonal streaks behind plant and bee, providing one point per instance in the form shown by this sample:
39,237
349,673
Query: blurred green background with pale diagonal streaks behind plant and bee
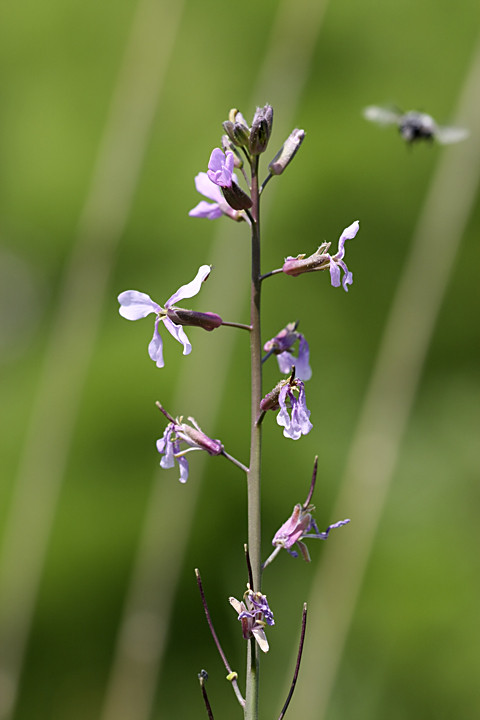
107,112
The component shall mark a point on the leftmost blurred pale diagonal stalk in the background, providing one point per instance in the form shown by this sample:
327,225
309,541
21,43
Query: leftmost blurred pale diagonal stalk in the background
75,328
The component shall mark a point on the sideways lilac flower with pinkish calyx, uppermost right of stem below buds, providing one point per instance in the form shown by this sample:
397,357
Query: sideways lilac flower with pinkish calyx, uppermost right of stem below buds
321,260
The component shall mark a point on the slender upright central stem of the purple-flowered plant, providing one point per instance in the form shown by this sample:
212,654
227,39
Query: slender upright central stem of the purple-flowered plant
254,527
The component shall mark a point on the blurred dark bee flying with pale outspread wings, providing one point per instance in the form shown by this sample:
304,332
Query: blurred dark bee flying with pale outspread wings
414,126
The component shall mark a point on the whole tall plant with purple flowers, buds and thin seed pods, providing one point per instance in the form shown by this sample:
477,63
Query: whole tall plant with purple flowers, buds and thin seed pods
242,146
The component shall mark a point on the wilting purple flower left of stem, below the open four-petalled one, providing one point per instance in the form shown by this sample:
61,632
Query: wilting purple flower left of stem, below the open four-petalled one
169,445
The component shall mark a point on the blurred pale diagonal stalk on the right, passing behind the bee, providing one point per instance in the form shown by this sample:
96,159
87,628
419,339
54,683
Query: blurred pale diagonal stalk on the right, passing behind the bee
386,410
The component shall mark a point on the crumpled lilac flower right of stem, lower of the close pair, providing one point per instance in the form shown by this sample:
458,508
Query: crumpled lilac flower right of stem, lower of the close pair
283,396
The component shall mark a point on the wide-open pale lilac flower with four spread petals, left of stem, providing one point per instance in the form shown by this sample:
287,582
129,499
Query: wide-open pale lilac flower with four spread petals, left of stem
135,305
